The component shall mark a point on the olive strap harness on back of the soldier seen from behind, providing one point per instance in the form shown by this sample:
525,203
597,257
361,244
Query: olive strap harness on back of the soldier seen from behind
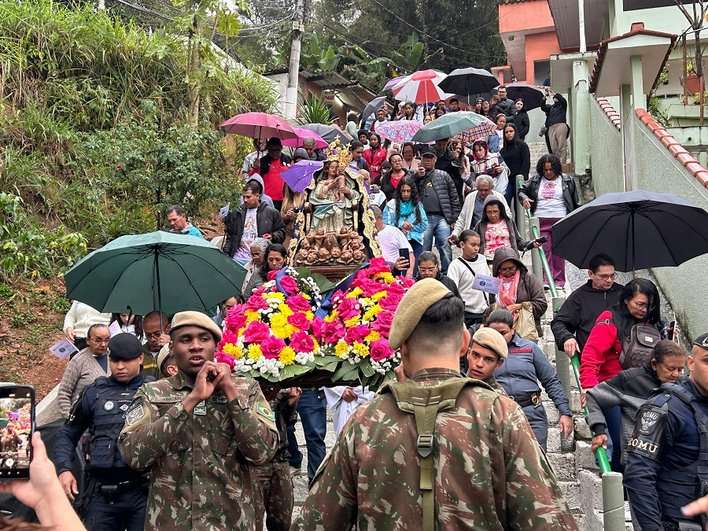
425,403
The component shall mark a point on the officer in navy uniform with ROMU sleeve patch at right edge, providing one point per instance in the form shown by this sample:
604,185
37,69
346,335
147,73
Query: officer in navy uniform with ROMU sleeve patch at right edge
667,454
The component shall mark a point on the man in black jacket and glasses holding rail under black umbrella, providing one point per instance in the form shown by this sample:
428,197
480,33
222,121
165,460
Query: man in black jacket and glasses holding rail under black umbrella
576,317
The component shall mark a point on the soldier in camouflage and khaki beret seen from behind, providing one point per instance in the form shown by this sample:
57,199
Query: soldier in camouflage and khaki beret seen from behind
476,466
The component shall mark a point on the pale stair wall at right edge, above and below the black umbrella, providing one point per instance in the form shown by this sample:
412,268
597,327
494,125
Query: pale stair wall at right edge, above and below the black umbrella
655,169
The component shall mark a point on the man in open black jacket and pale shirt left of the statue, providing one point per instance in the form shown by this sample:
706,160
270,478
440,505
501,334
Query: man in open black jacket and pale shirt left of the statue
249,221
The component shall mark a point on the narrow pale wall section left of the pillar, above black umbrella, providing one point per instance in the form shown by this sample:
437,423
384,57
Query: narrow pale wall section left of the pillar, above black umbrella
605,152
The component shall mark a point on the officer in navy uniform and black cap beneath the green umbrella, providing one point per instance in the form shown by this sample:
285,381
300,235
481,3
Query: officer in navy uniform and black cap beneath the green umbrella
114,496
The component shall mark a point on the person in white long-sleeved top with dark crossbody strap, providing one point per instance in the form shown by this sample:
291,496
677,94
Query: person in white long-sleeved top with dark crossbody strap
462,272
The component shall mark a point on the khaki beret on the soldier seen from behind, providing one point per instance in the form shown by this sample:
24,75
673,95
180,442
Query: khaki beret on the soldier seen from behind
414,304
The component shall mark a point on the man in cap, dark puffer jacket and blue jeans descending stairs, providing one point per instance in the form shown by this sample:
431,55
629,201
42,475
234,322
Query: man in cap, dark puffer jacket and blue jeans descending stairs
438,194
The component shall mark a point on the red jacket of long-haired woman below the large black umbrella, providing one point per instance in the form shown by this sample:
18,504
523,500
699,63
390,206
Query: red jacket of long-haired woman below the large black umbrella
599,360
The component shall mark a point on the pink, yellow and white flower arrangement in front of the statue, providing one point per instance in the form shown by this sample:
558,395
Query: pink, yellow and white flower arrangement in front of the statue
277,334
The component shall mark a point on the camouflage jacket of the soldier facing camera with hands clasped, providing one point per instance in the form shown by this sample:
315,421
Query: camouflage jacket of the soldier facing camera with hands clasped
199,463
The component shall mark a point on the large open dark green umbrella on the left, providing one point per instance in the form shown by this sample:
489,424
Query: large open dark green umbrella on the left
155,271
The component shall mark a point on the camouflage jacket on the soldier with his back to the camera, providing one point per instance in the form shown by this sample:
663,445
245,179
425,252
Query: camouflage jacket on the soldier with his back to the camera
489,471
